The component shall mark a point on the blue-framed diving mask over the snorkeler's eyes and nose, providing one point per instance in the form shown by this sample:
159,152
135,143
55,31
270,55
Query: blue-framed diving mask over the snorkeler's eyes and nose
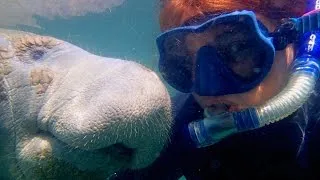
235,55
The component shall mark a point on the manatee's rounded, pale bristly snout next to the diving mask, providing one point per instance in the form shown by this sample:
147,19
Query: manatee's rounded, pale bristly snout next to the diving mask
115,104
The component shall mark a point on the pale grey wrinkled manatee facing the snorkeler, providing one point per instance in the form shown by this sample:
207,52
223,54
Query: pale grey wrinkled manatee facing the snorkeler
69,114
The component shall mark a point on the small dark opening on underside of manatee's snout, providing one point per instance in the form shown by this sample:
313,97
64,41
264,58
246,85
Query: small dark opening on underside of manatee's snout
119,151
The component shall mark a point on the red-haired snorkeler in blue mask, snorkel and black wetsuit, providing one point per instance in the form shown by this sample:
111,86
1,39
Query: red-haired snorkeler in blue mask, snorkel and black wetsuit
248,71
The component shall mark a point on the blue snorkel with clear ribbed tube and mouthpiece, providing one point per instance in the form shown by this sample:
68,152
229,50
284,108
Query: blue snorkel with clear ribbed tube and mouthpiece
303,78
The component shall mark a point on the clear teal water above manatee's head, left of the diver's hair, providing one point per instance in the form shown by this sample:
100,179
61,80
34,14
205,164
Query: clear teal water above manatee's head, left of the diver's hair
127,32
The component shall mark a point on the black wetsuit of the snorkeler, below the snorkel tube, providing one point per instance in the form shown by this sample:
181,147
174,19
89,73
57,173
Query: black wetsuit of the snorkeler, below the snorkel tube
289,149
